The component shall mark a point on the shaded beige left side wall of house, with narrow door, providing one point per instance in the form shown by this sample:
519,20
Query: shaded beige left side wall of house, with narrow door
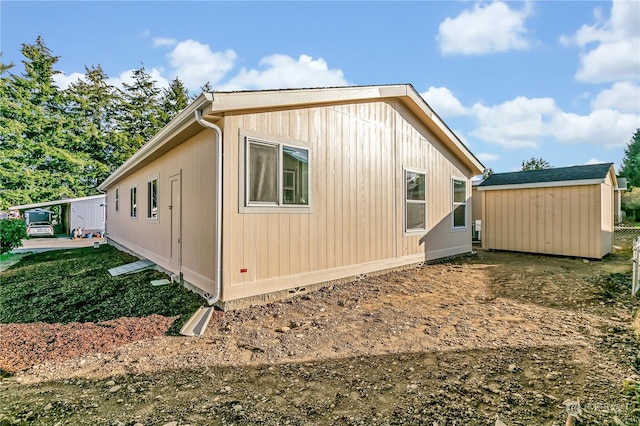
195,161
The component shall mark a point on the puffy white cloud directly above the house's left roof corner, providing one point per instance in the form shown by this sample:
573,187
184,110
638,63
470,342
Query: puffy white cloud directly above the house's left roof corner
196,64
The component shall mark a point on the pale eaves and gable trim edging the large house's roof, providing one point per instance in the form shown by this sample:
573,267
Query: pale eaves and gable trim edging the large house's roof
215,105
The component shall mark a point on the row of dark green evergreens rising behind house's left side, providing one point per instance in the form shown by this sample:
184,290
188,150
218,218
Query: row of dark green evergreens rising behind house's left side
56,143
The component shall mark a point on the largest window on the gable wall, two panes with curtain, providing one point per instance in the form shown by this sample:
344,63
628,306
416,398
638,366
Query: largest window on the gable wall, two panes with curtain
276,175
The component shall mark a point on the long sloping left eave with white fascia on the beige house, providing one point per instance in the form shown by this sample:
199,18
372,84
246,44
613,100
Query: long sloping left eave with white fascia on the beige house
184,119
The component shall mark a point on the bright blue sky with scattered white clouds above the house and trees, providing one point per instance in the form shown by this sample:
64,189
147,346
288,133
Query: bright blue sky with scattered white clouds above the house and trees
514,80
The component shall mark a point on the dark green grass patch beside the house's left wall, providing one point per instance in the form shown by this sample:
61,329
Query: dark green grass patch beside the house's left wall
65,286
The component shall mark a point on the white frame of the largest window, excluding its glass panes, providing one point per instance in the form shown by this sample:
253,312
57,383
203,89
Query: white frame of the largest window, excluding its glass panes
247,206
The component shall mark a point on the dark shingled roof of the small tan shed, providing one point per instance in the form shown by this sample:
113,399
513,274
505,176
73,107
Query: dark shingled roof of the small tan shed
559,176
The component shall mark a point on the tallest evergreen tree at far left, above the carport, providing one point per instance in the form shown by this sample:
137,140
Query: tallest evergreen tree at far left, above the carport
39,152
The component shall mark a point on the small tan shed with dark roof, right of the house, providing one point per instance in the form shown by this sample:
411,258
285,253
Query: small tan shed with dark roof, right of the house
565,211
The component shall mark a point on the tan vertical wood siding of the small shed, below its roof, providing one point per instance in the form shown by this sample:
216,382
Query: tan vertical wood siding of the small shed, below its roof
566,220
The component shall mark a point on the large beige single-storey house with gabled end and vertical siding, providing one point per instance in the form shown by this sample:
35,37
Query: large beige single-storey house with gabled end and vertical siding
250,196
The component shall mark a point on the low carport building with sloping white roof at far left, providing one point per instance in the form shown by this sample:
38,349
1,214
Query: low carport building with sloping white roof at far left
87,213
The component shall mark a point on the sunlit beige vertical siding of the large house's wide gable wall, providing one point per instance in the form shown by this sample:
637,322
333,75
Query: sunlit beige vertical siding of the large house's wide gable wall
358,155
